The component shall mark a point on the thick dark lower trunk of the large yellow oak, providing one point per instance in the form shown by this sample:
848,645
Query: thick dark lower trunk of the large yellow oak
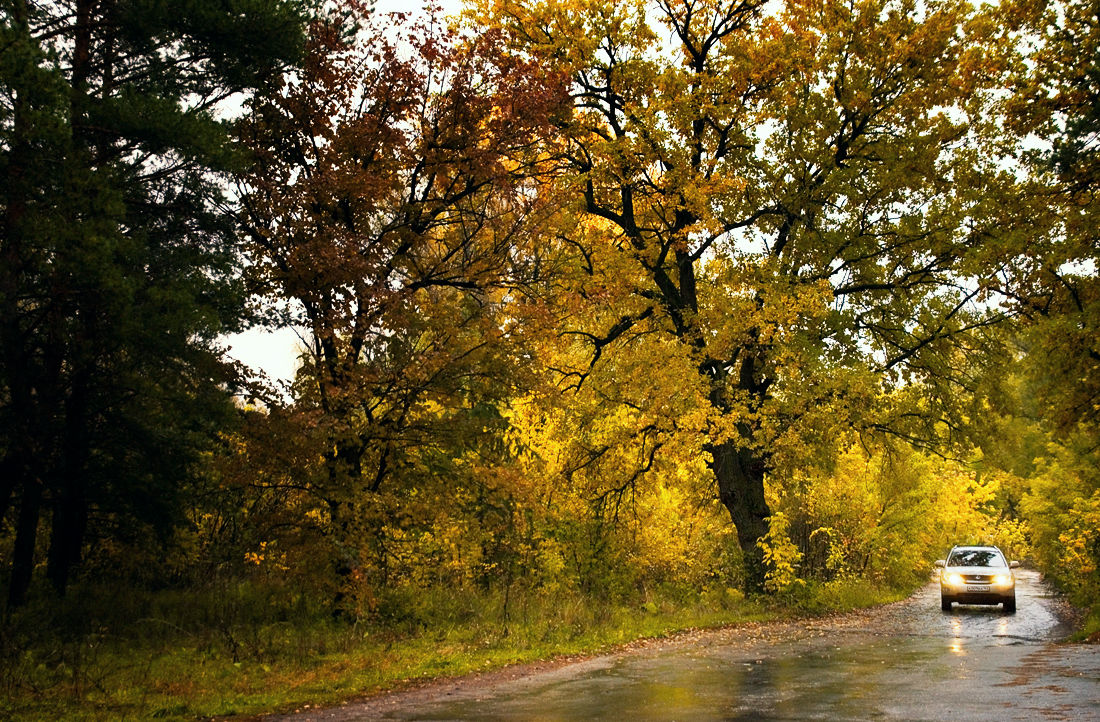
740,474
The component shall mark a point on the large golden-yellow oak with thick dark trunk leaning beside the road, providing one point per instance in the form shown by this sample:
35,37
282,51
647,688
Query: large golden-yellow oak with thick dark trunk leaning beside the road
804,200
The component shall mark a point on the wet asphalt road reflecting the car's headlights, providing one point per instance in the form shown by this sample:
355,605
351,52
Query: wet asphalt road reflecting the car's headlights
904,662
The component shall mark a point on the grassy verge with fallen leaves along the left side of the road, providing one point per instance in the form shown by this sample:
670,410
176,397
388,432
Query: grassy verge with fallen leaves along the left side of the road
237,652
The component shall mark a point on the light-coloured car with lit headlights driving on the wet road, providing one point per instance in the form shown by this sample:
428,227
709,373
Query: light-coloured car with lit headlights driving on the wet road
977,575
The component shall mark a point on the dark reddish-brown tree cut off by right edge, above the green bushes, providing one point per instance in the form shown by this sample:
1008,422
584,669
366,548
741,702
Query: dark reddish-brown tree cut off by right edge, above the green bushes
1057,101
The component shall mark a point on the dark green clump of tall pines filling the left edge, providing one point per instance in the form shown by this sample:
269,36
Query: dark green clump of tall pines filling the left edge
118,268
